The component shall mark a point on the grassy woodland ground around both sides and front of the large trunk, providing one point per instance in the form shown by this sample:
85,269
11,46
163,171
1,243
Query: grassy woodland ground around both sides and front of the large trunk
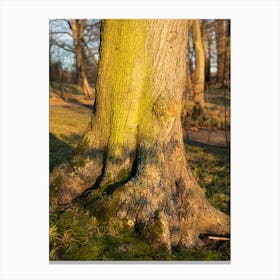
77,235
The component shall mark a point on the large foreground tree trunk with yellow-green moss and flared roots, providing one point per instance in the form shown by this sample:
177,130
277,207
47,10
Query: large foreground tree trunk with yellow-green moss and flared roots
133,153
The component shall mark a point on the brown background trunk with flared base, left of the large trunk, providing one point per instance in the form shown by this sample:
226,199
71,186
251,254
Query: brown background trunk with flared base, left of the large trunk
77,27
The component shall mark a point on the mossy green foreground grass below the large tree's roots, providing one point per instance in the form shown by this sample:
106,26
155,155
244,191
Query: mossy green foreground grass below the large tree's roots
76,235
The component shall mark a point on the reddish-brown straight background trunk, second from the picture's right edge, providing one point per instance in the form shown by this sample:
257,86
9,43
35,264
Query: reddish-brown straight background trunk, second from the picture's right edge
220,41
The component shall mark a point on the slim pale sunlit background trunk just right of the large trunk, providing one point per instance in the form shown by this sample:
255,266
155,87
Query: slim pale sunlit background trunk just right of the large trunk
199,64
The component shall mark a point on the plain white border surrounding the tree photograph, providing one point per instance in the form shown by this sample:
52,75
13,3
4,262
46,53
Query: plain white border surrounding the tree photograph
24,138
